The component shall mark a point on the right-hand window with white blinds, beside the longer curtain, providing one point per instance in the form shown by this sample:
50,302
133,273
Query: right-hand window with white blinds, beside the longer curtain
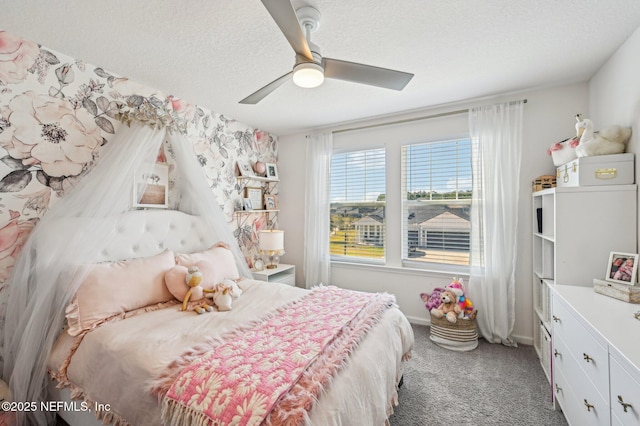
436,187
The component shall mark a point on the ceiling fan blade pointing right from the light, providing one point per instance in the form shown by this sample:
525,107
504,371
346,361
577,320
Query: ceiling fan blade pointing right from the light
365,74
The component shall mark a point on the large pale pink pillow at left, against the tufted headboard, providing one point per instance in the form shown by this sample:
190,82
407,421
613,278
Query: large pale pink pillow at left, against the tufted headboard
114,288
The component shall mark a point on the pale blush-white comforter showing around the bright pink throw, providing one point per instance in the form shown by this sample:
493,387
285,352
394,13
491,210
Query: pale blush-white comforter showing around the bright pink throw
117,362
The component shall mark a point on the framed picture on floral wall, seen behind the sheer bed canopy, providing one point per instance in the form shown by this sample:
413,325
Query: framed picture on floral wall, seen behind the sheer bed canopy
152,189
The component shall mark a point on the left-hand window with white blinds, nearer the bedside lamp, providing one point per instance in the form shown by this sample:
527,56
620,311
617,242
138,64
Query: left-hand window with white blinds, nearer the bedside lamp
357,200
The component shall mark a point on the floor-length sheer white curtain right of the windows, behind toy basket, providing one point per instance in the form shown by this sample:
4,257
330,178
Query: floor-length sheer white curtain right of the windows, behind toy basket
496,135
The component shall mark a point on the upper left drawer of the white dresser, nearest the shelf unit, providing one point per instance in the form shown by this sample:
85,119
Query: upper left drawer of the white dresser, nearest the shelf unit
591,356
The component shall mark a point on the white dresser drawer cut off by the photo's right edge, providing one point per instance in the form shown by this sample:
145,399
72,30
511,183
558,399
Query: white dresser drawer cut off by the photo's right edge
624,390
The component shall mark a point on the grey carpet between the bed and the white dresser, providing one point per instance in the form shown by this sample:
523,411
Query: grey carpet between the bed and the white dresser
491,385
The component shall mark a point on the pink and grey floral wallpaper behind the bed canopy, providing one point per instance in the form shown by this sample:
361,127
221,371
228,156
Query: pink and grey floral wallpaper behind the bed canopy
56,113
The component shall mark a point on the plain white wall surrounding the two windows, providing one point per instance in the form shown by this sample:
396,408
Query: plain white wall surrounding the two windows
548,118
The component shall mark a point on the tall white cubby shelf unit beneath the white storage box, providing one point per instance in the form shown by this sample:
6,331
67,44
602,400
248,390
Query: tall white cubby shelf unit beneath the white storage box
580,227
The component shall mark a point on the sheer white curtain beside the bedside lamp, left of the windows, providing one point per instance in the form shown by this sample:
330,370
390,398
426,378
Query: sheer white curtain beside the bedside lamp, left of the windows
317,261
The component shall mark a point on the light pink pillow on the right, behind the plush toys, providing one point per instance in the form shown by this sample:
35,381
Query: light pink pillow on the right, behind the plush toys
216,264
